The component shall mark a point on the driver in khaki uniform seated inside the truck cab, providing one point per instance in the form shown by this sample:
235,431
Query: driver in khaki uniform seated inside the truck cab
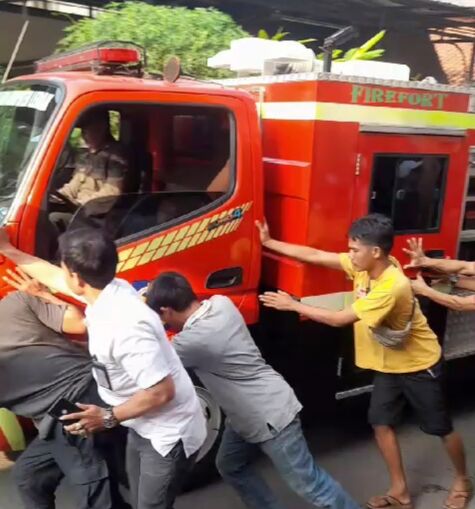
99,173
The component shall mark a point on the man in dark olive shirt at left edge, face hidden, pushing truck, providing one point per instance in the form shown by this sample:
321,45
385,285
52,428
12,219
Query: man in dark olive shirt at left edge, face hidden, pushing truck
39,366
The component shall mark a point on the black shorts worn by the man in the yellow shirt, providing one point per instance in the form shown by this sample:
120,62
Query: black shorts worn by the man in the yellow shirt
423,390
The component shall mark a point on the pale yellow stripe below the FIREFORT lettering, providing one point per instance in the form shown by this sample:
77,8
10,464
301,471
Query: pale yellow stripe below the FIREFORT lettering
377,115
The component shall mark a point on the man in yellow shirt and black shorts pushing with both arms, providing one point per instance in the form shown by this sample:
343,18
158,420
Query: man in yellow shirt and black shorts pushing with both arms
410,372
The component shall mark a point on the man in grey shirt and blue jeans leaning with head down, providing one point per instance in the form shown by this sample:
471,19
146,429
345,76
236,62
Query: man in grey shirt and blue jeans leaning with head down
261,408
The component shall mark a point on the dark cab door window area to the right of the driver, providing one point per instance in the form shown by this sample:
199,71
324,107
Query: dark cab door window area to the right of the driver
189,168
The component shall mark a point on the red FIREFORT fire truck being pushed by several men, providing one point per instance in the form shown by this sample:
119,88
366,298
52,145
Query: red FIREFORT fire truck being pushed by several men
311,152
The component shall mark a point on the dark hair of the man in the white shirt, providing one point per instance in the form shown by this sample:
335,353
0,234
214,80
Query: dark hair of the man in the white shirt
91,254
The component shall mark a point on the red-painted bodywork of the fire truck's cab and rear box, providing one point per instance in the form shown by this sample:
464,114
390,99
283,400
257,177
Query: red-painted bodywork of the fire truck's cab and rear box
309,178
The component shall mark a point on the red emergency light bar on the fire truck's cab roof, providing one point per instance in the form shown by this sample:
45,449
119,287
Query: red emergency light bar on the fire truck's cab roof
108,57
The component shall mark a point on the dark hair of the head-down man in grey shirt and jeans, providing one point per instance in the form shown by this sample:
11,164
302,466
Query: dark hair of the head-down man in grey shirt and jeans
170,290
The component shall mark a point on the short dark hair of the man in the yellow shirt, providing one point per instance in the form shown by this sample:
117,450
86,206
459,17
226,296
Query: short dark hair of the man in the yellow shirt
374,230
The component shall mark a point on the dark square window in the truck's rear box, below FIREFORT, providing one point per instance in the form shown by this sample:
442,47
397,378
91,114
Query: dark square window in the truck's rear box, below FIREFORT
409,189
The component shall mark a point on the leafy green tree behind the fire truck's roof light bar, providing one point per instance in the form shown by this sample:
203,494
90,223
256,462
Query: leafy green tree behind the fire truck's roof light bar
193,35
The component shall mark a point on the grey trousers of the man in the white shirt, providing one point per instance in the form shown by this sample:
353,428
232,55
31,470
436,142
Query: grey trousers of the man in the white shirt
155,480
